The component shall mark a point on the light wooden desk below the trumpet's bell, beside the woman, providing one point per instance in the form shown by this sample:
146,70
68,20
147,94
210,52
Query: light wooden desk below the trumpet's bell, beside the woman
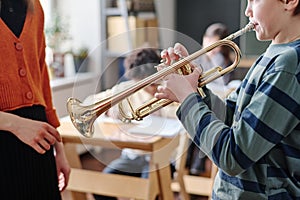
111,135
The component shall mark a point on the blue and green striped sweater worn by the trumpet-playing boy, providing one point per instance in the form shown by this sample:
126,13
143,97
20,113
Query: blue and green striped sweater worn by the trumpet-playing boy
257,146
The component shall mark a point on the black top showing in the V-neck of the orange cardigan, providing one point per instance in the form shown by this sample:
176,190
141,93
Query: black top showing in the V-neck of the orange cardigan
13,13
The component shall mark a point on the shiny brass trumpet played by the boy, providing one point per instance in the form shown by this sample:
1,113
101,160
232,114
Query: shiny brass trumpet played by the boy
83,117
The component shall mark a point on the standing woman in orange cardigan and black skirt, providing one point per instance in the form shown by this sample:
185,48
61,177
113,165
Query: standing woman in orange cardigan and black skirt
33,160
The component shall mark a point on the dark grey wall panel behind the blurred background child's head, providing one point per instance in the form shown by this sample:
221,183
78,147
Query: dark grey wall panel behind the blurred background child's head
193,17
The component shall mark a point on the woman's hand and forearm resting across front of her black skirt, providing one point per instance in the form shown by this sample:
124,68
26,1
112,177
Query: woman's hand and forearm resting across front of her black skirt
39,135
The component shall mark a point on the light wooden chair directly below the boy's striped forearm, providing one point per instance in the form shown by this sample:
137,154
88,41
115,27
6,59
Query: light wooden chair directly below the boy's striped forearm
187,184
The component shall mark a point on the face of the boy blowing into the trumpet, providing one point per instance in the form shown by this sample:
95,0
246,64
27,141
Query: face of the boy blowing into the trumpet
267,17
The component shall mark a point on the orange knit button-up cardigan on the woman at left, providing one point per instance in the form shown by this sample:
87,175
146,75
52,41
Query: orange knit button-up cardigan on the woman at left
24,79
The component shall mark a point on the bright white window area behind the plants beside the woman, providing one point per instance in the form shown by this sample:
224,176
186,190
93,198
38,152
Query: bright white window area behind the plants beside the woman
83,18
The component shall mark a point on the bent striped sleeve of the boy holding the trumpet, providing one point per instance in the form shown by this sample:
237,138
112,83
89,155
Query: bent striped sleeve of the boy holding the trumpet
271,114
